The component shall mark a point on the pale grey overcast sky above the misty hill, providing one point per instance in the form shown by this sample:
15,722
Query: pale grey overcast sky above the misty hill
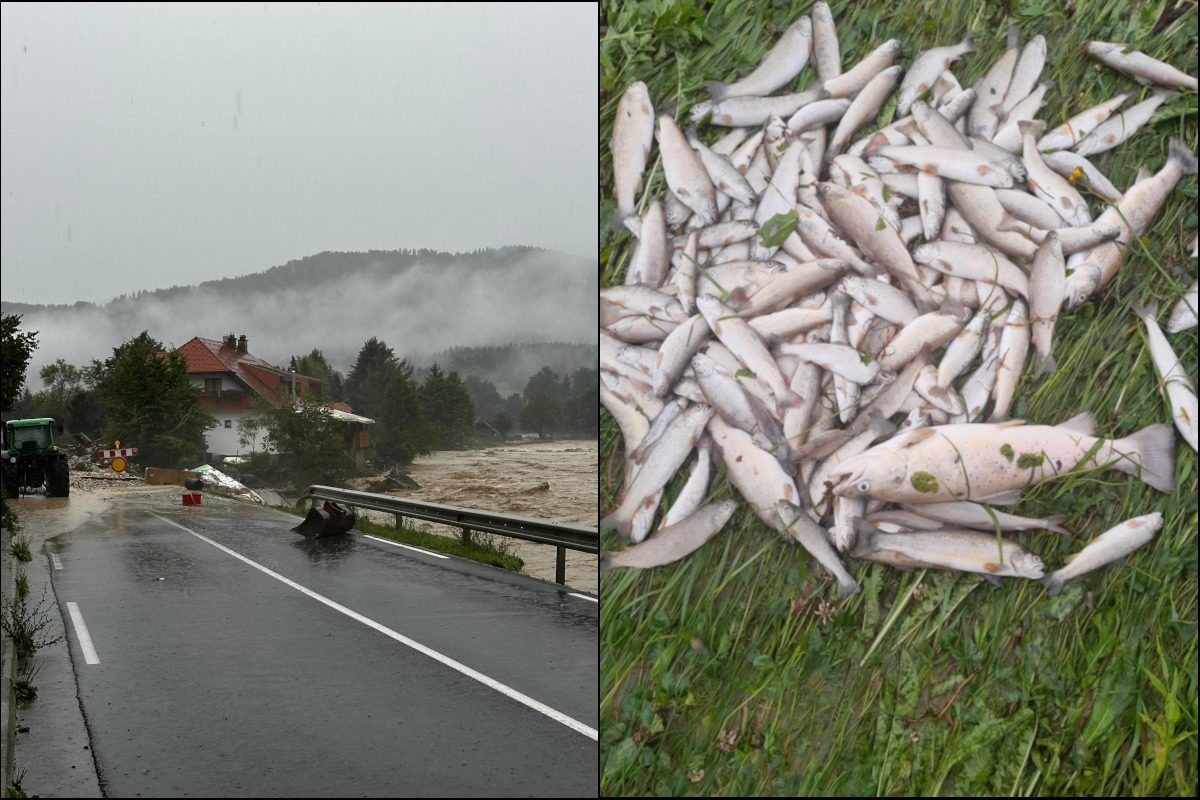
147,147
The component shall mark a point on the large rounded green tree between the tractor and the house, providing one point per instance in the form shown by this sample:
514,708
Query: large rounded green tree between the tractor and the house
151,404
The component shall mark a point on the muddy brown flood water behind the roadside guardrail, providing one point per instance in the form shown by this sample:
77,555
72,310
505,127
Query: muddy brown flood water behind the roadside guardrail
549,480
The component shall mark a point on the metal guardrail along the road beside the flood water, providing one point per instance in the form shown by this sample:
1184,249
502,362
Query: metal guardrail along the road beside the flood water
562,536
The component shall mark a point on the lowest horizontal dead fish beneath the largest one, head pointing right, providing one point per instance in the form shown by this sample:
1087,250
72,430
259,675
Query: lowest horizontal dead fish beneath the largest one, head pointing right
951,550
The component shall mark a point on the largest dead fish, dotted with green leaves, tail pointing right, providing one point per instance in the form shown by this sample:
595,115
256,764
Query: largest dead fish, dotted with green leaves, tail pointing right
994,462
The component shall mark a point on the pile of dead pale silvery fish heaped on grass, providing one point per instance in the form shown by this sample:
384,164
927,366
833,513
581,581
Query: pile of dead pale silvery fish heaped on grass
806,282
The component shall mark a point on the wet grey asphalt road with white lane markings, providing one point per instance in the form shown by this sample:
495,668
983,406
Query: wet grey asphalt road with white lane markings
217,679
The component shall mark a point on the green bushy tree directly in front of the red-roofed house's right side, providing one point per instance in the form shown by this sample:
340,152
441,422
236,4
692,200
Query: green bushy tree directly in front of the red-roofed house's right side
310,444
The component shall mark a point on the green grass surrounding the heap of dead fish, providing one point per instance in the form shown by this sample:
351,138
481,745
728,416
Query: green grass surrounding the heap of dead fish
719,675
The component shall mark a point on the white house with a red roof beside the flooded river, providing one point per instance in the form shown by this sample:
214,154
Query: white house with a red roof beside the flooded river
231,380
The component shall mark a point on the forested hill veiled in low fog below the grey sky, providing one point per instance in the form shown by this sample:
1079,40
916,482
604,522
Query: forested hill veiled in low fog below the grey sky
419,303
